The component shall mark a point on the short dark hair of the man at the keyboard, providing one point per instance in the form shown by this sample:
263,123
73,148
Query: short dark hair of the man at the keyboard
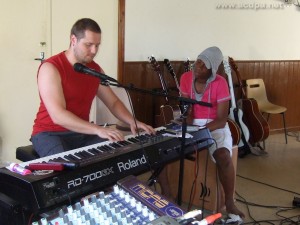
84,24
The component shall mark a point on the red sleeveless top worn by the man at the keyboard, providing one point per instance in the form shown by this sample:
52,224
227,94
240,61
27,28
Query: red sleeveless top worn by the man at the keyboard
79,91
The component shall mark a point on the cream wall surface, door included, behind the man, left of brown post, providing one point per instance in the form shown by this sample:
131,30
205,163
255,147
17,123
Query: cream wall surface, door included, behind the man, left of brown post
24,24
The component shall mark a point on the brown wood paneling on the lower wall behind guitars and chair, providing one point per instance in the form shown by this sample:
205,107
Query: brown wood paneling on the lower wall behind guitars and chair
282,80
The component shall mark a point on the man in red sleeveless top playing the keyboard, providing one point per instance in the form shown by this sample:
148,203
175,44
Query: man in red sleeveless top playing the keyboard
62,121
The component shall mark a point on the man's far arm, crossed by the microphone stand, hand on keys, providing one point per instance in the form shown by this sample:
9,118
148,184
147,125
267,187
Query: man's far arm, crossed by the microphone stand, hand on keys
119,110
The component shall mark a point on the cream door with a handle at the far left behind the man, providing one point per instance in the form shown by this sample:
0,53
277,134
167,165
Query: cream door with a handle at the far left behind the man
23,27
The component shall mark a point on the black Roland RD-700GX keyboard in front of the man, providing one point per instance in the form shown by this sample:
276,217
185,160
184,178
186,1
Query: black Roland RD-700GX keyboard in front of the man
101,165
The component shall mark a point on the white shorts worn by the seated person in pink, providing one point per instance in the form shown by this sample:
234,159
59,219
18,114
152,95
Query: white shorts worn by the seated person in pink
222,137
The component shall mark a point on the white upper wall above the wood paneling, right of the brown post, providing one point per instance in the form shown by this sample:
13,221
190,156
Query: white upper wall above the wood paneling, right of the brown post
178,29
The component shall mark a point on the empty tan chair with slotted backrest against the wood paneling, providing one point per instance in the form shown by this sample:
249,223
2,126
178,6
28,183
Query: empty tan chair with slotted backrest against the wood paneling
256,89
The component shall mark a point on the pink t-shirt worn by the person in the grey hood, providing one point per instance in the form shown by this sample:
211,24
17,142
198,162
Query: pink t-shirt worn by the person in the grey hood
215,92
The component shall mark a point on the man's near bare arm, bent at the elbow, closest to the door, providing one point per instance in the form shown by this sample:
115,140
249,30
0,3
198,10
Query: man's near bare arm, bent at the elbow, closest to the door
51,92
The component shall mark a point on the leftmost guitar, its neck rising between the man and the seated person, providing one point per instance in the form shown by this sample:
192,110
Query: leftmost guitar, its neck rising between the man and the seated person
167,112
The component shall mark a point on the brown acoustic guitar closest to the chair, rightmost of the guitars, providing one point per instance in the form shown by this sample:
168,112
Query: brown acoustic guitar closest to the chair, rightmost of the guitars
254,120
